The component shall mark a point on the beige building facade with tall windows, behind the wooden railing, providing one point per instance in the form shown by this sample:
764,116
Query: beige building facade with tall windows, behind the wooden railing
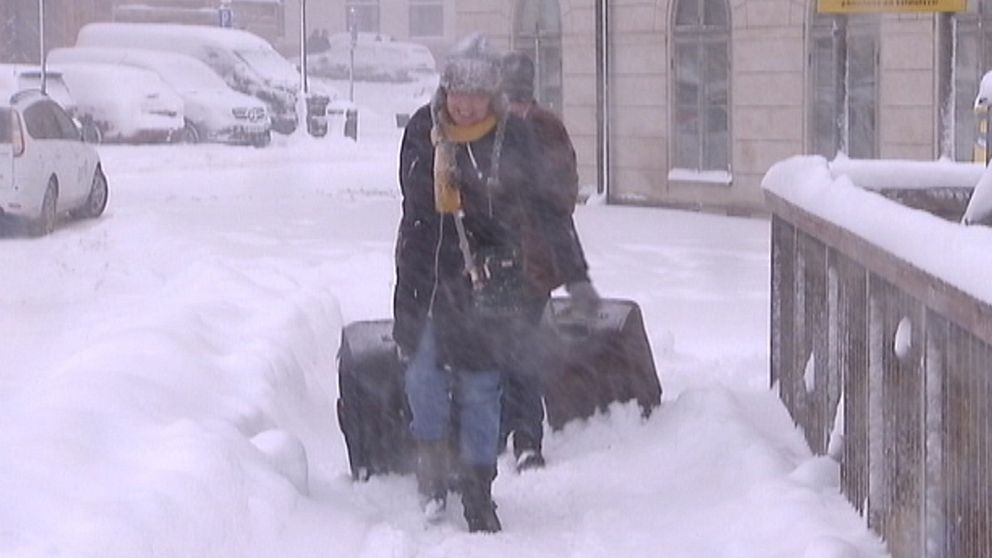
703,96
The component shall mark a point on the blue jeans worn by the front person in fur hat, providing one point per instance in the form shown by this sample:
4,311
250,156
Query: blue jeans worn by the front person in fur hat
430,389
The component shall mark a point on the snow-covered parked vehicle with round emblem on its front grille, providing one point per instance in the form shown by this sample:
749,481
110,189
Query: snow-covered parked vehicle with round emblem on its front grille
212,110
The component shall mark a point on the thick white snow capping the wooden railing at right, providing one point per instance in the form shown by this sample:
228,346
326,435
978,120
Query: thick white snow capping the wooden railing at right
836,192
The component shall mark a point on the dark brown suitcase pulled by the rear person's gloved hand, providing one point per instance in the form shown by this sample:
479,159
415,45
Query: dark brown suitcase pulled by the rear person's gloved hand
592,362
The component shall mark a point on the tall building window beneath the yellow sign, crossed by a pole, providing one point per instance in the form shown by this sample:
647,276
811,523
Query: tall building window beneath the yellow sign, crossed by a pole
843,114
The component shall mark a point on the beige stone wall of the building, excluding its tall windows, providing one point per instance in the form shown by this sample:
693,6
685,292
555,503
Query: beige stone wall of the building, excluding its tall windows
770,85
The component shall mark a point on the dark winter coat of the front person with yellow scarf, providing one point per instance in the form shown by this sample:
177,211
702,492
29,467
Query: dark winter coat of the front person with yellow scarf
430,276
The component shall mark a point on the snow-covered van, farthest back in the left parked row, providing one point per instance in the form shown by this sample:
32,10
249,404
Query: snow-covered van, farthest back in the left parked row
247,62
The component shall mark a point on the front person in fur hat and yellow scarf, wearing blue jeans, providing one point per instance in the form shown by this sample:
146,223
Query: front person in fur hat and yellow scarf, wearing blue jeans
470,180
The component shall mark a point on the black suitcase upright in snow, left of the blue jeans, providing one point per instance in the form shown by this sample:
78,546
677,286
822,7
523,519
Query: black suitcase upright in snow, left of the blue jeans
372,408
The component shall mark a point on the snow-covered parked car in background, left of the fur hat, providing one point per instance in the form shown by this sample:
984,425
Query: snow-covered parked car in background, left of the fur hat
377,58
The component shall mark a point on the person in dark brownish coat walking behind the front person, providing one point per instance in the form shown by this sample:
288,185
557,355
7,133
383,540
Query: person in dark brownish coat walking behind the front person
523,410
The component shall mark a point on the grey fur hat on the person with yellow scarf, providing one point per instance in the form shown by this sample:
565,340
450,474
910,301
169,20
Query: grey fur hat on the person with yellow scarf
471,67
